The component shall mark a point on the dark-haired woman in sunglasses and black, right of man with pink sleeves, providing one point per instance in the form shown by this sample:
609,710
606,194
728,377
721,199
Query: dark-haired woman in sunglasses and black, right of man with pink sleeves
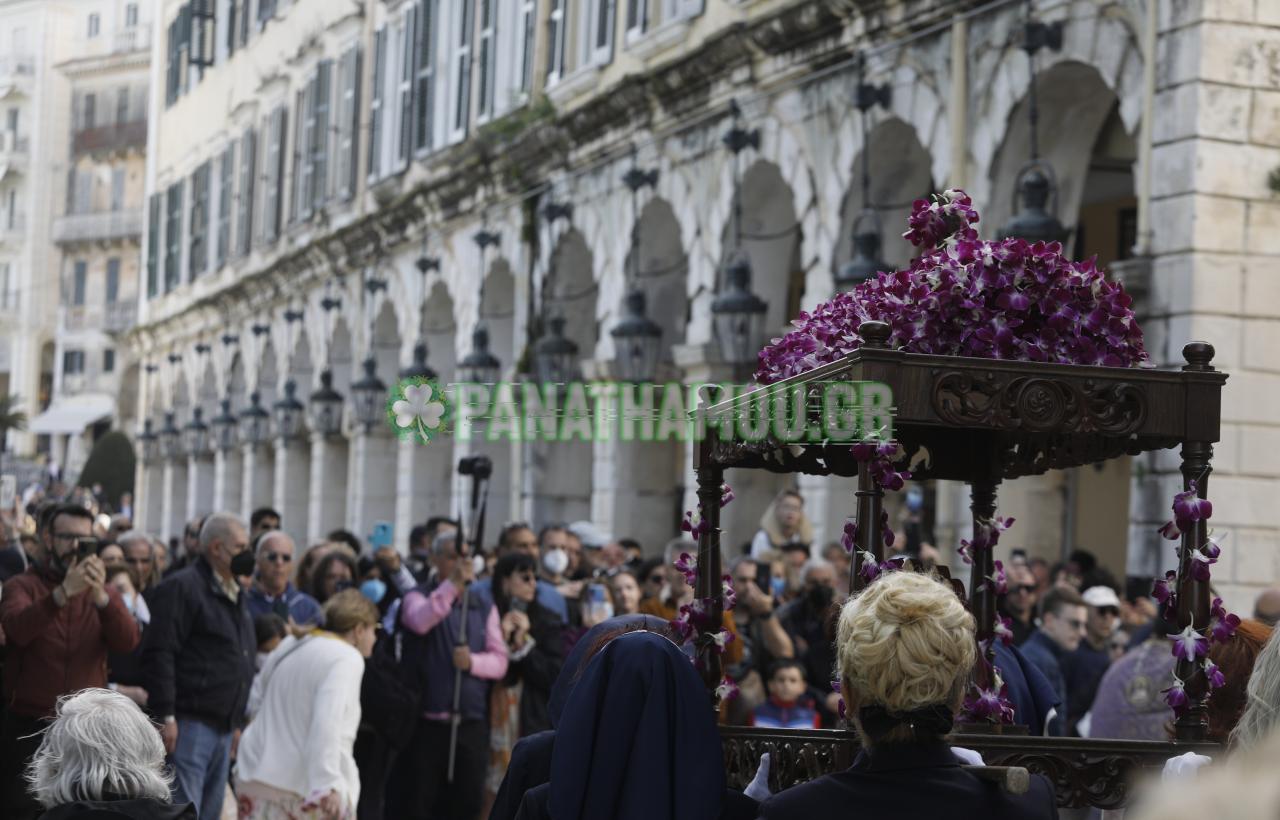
534,639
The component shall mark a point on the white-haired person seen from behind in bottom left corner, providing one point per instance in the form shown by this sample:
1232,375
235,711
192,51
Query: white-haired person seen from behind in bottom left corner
102,758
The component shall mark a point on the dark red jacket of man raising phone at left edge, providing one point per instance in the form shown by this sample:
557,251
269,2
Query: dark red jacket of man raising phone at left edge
52,652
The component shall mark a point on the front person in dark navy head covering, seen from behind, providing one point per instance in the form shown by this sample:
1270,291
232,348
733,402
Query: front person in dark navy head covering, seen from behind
638,741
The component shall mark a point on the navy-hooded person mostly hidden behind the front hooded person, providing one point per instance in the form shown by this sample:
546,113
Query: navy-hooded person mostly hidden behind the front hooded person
532,758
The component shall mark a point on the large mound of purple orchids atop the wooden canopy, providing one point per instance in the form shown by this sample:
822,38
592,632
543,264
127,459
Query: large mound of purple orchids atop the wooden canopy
963,296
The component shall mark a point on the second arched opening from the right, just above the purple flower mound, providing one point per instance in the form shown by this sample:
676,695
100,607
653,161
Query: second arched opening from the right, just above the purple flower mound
900,173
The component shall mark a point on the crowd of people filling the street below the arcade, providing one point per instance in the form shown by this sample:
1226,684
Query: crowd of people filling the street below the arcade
348,681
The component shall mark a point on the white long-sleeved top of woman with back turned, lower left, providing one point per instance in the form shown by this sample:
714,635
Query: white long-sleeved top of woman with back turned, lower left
305,709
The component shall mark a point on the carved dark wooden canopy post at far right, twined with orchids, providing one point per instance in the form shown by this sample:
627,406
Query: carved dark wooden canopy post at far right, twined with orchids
1194,597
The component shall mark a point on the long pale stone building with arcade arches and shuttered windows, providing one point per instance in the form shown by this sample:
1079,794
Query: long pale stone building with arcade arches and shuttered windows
319,175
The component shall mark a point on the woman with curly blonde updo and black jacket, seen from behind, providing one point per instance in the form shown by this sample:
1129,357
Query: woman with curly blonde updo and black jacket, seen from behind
904,650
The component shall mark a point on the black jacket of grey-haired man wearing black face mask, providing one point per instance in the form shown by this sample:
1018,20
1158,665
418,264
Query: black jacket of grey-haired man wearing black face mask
199,650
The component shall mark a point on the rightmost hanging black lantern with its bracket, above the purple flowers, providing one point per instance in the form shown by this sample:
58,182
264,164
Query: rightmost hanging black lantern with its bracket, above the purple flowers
1037,184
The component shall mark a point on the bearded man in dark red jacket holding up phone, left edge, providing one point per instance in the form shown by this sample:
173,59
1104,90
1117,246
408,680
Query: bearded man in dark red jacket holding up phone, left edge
60,621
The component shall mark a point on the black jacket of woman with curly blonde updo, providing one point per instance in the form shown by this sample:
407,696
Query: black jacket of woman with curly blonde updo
898,782
